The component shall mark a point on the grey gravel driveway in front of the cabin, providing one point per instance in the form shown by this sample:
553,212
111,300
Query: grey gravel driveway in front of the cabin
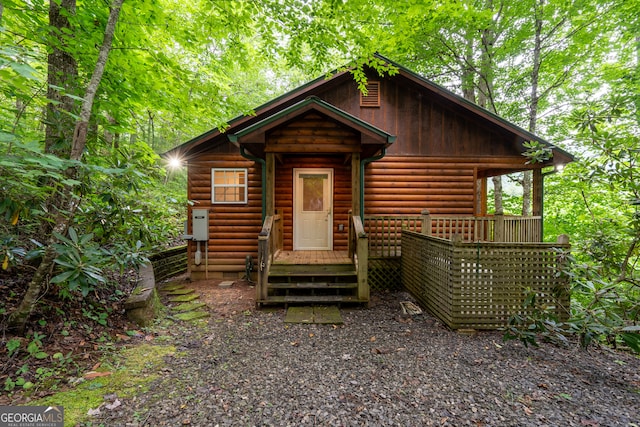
379,368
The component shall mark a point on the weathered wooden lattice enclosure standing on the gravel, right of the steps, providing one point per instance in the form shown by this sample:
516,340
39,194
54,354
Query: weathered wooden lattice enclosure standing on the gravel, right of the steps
479,285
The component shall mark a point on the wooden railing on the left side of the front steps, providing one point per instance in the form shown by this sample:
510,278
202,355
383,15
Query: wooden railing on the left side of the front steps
269,244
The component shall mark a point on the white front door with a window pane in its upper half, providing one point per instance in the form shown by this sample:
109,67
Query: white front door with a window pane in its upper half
312,209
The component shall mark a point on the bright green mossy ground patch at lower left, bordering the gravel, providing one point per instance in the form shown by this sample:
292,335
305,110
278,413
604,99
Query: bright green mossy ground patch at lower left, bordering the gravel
130,373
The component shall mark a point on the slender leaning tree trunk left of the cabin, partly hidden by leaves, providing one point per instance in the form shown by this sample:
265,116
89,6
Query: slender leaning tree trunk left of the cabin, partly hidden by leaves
18,319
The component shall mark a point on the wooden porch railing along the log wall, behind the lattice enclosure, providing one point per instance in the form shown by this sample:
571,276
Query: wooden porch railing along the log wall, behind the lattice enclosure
385,231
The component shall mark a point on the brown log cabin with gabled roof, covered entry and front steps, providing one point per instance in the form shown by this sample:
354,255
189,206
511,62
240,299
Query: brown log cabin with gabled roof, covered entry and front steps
309,195
